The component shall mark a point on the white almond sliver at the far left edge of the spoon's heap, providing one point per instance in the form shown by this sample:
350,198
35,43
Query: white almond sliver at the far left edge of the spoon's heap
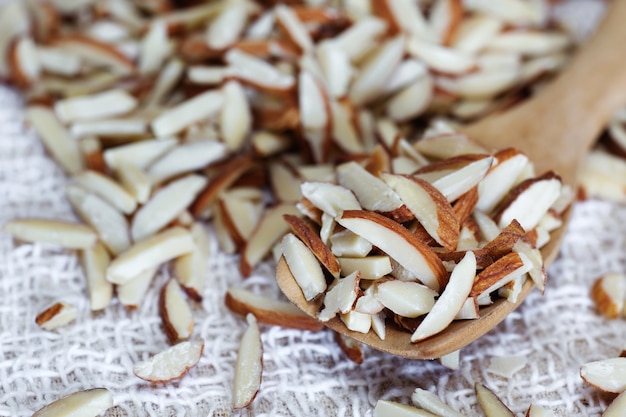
304,267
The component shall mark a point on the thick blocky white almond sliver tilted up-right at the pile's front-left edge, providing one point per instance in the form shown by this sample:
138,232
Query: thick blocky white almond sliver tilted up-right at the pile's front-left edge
149,253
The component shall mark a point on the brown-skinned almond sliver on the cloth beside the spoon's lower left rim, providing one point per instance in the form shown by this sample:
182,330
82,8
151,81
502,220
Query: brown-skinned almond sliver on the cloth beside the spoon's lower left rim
269,310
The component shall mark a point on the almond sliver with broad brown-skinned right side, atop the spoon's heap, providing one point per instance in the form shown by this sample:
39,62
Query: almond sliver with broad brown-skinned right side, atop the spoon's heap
429,206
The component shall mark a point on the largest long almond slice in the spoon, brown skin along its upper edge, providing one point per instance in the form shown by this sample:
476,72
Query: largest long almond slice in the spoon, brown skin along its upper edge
398,243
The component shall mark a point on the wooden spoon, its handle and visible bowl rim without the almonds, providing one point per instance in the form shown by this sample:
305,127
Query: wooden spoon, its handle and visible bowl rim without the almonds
555,128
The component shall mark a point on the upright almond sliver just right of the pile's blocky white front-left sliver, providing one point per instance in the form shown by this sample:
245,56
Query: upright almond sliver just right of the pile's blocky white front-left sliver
192,269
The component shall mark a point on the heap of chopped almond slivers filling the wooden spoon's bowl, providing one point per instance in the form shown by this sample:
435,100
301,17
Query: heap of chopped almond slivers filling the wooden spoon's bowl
426,247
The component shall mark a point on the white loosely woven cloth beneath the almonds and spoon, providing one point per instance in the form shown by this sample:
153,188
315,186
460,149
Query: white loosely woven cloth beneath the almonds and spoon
305,373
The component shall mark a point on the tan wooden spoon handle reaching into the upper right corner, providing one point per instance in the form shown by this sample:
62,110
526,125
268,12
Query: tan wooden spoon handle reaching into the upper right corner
557,126
